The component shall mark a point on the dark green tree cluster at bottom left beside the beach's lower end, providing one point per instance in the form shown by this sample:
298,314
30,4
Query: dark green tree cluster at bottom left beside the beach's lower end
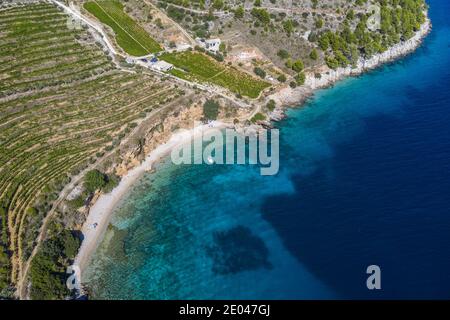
48,268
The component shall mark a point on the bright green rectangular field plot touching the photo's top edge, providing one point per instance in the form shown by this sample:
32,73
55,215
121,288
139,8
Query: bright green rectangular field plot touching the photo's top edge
129,35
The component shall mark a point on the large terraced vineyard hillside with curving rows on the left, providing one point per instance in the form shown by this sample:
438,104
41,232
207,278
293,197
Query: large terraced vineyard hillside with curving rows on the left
63,104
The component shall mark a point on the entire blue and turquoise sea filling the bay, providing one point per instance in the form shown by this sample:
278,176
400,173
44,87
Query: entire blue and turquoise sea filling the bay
364,179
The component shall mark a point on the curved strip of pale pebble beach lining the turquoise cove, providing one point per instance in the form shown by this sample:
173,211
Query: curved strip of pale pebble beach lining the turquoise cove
100,212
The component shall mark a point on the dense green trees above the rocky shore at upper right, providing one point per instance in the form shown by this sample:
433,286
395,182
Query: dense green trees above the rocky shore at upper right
399,20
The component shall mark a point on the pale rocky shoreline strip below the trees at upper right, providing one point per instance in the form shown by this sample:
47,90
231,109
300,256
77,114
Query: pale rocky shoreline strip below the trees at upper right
288,96
